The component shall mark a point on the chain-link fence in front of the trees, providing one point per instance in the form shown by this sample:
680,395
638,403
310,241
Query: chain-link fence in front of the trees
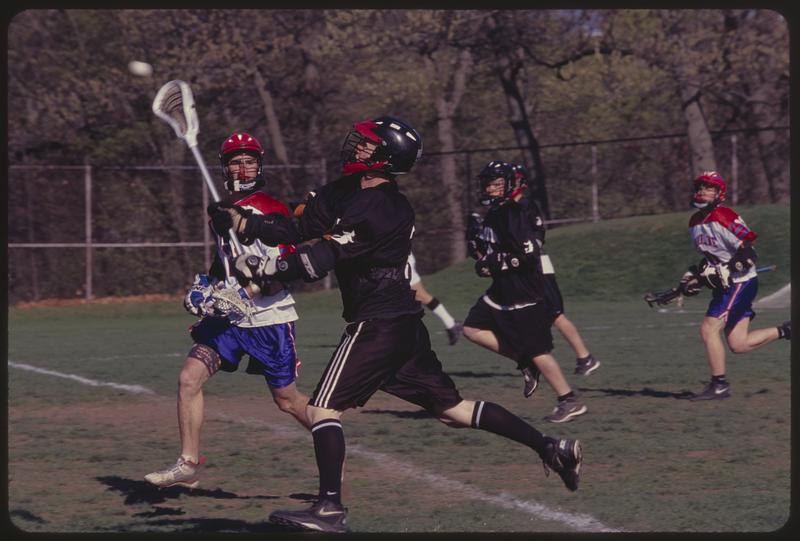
73,233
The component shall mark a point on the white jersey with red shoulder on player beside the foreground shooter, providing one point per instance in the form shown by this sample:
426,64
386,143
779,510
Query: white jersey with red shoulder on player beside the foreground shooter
278,307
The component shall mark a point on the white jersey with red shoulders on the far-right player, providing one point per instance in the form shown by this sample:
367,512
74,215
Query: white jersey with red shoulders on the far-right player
718,234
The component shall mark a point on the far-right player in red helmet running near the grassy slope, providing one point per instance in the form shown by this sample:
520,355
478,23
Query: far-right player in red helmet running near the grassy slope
728,267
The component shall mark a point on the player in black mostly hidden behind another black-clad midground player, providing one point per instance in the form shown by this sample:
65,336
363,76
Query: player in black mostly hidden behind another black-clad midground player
585,362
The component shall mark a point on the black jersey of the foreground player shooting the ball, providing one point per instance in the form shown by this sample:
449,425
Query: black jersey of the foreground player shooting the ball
368,250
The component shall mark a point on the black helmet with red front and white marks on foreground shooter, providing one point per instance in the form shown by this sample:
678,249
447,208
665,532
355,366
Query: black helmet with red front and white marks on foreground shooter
398,146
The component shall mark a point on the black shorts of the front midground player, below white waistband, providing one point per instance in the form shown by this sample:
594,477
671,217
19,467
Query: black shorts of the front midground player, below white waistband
522,333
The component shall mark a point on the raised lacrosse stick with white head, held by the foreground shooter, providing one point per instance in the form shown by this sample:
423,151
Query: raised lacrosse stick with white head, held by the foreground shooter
174,104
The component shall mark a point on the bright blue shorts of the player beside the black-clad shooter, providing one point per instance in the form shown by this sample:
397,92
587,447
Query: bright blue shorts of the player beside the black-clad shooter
272,346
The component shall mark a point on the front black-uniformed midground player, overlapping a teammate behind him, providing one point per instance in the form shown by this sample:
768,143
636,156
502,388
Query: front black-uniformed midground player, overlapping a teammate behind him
513,317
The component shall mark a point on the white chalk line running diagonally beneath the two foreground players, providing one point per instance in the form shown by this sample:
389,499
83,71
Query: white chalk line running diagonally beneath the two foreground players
580,522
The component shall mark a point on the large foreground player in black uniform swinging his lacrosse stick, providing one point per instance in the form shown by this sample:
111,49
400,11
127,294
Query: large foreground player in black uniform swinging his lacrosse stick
385,345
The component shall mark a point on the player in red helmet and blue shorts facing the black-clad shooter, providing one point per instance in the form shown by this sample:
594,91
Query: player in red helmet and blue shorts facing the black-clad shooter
257,323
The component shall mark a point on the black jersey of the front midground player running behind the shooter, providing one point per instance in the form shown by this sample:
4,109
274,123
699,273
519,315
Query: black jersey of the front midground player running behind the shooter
514,230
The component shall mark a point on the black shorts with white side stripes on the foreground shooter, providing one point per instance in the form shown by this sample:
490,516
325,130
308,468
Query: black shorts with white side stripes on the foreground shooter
392,355
